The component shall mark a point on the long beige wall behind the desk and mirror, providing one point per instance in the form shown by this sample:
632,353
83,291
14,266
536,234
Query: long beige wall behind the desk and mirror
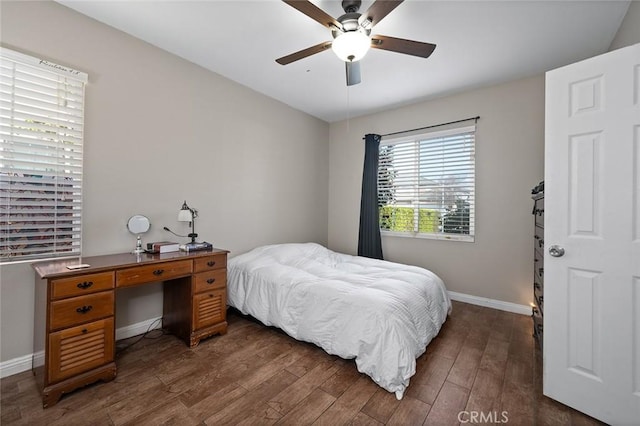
160,130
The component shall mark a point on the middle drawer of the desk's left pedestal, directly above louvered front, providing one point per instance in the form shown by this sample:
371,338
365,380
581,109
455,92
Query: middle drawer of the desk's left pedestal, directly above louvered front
81,309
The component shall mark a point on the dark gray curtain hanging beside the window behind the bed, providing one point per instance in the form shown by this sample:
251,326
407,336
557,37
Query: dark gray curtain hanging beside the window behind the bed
369,243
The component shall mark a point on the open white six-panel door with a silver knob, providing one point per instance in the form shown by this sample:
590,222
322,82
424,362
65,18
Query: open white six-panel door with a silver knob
592,212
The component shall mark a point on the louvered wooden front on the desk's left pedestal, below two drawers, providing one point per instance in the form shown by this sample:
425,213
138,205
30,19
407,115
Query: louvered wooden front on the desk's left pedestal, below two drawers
78,349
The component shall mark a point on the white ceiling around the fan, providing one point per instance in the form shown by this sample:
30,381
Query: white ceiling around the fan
479,43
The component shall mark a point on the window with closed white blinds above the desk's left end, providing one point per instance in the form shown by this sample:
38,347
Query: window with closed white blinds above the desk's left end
41,137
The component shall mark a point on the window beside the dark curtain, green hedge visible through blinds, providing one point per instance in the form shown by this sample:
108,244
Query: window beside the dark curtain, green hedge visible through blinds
426,185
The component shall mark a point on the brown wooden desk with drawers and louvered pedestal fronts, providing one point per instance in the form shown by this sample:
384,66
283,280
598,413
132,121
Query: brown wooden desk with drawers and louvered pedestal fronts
75,310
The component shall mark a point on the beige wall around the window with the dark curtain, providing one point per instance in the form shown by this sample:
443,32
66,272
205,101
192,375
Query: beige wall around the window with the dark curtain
509,162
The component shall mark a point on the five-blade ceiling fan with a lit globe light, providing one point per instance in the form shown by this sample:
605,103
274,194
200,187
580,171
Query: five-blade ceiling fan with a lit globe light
352,37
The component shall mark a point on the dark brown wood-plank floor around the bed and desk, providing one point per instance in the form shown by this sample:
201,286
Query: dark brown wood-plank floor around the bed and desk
483,361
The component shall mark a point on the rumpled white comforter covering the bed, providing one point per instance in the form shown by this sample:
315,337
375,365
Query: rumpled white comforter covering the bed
383,314
